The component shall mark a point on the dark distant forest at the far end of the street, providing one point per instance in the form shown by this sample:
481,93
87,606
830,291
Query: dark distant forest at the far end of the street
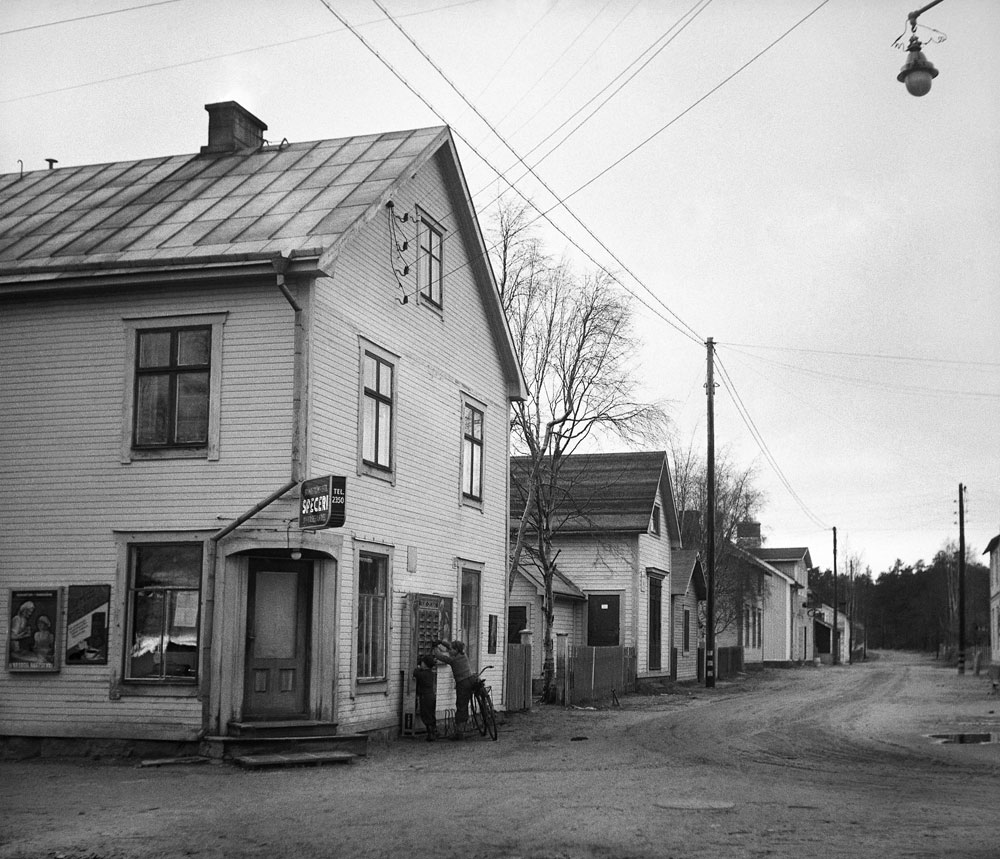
913,607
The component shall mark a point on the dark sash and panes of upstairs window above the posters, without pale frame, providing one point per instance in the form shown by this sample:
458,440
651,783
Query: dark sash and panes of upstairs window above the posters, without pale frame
172,386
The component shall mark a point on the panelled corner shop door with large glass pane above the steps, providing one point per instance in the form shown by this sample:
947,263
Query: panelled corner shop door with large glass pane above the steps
277,648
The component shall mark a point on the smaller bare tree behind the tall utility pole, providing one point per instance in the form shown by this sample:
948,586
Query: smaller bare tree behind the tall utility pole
737,499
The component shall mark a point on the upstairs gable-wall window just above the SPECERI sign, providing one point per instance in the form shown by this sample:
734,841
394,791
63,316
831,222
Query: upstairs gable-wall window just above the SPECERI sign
378,393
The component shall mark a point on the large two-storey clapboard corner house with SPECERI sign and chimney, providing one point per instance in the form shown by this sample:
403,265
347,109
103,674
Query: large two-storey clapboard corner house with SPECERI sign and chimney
254,449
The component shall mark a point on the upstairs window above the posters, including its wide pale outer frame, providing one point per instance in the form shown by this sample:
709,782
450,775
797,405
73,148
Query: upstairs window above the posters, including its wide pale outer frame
173,377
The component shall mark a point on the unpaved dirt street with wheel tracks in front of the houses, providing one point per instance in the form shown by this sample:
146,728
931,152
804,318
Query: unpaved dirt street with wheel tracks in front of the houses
806,762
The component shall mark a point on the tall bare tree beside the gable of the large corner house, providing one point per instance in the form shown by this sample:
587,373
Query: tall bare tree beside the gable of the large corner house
574,341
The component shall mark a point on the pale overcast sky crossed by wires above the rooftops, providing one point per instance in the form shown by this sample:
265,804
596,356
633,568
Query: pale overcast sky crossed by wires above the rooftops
764,180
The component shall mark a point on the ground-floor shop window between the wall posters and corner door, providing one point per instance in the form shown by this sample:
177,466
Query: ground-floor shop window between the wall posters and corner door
164,594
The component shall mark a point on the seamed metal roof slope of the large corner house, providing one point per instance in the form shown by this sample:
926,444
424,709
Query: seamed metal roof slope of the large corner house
296,198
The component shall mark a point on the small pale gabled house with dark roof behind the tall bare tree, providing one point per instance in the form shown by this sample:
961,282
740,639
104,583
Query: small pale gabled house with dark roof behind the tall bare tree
616,531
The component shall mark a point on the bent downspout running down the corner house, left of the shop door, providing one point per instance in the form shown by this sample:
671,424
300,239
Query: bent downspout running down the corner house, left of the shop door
280,264
